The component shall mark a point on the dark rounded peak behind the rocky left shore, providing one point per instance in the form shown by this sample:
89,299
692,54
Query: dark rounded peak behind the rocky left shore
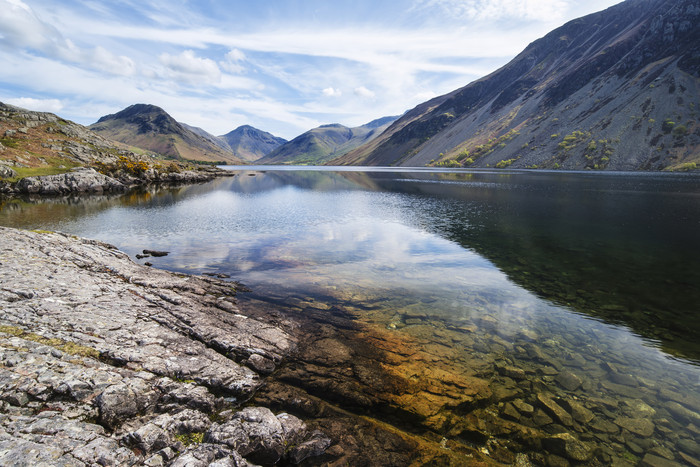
151,128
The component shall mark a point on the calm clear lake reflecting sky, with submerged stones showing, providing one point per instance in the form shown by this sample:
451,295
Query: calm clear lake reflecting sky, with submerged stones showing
549,313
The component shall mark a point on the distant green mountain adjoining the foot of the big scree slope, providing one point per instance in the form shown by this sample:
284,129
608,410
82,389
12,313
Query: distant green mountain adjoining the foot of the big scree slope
320,145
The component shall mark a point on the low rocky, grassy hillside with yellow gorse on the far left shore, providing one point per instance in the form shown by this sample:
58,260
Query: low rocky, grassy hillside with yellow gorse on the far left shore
41,153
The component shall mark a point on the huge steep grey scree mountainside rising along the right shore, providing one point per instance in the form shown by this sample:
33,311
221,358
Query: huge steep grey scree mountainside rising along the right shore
615,90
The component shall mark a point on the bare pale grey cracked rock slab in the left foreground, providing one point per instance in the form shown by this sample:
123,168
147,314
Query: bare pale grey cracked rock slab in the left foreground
106,362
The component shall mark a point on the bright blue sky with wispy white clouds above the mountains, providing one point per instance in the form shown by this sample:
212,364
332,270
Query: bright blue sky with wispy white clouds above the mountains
283,66
